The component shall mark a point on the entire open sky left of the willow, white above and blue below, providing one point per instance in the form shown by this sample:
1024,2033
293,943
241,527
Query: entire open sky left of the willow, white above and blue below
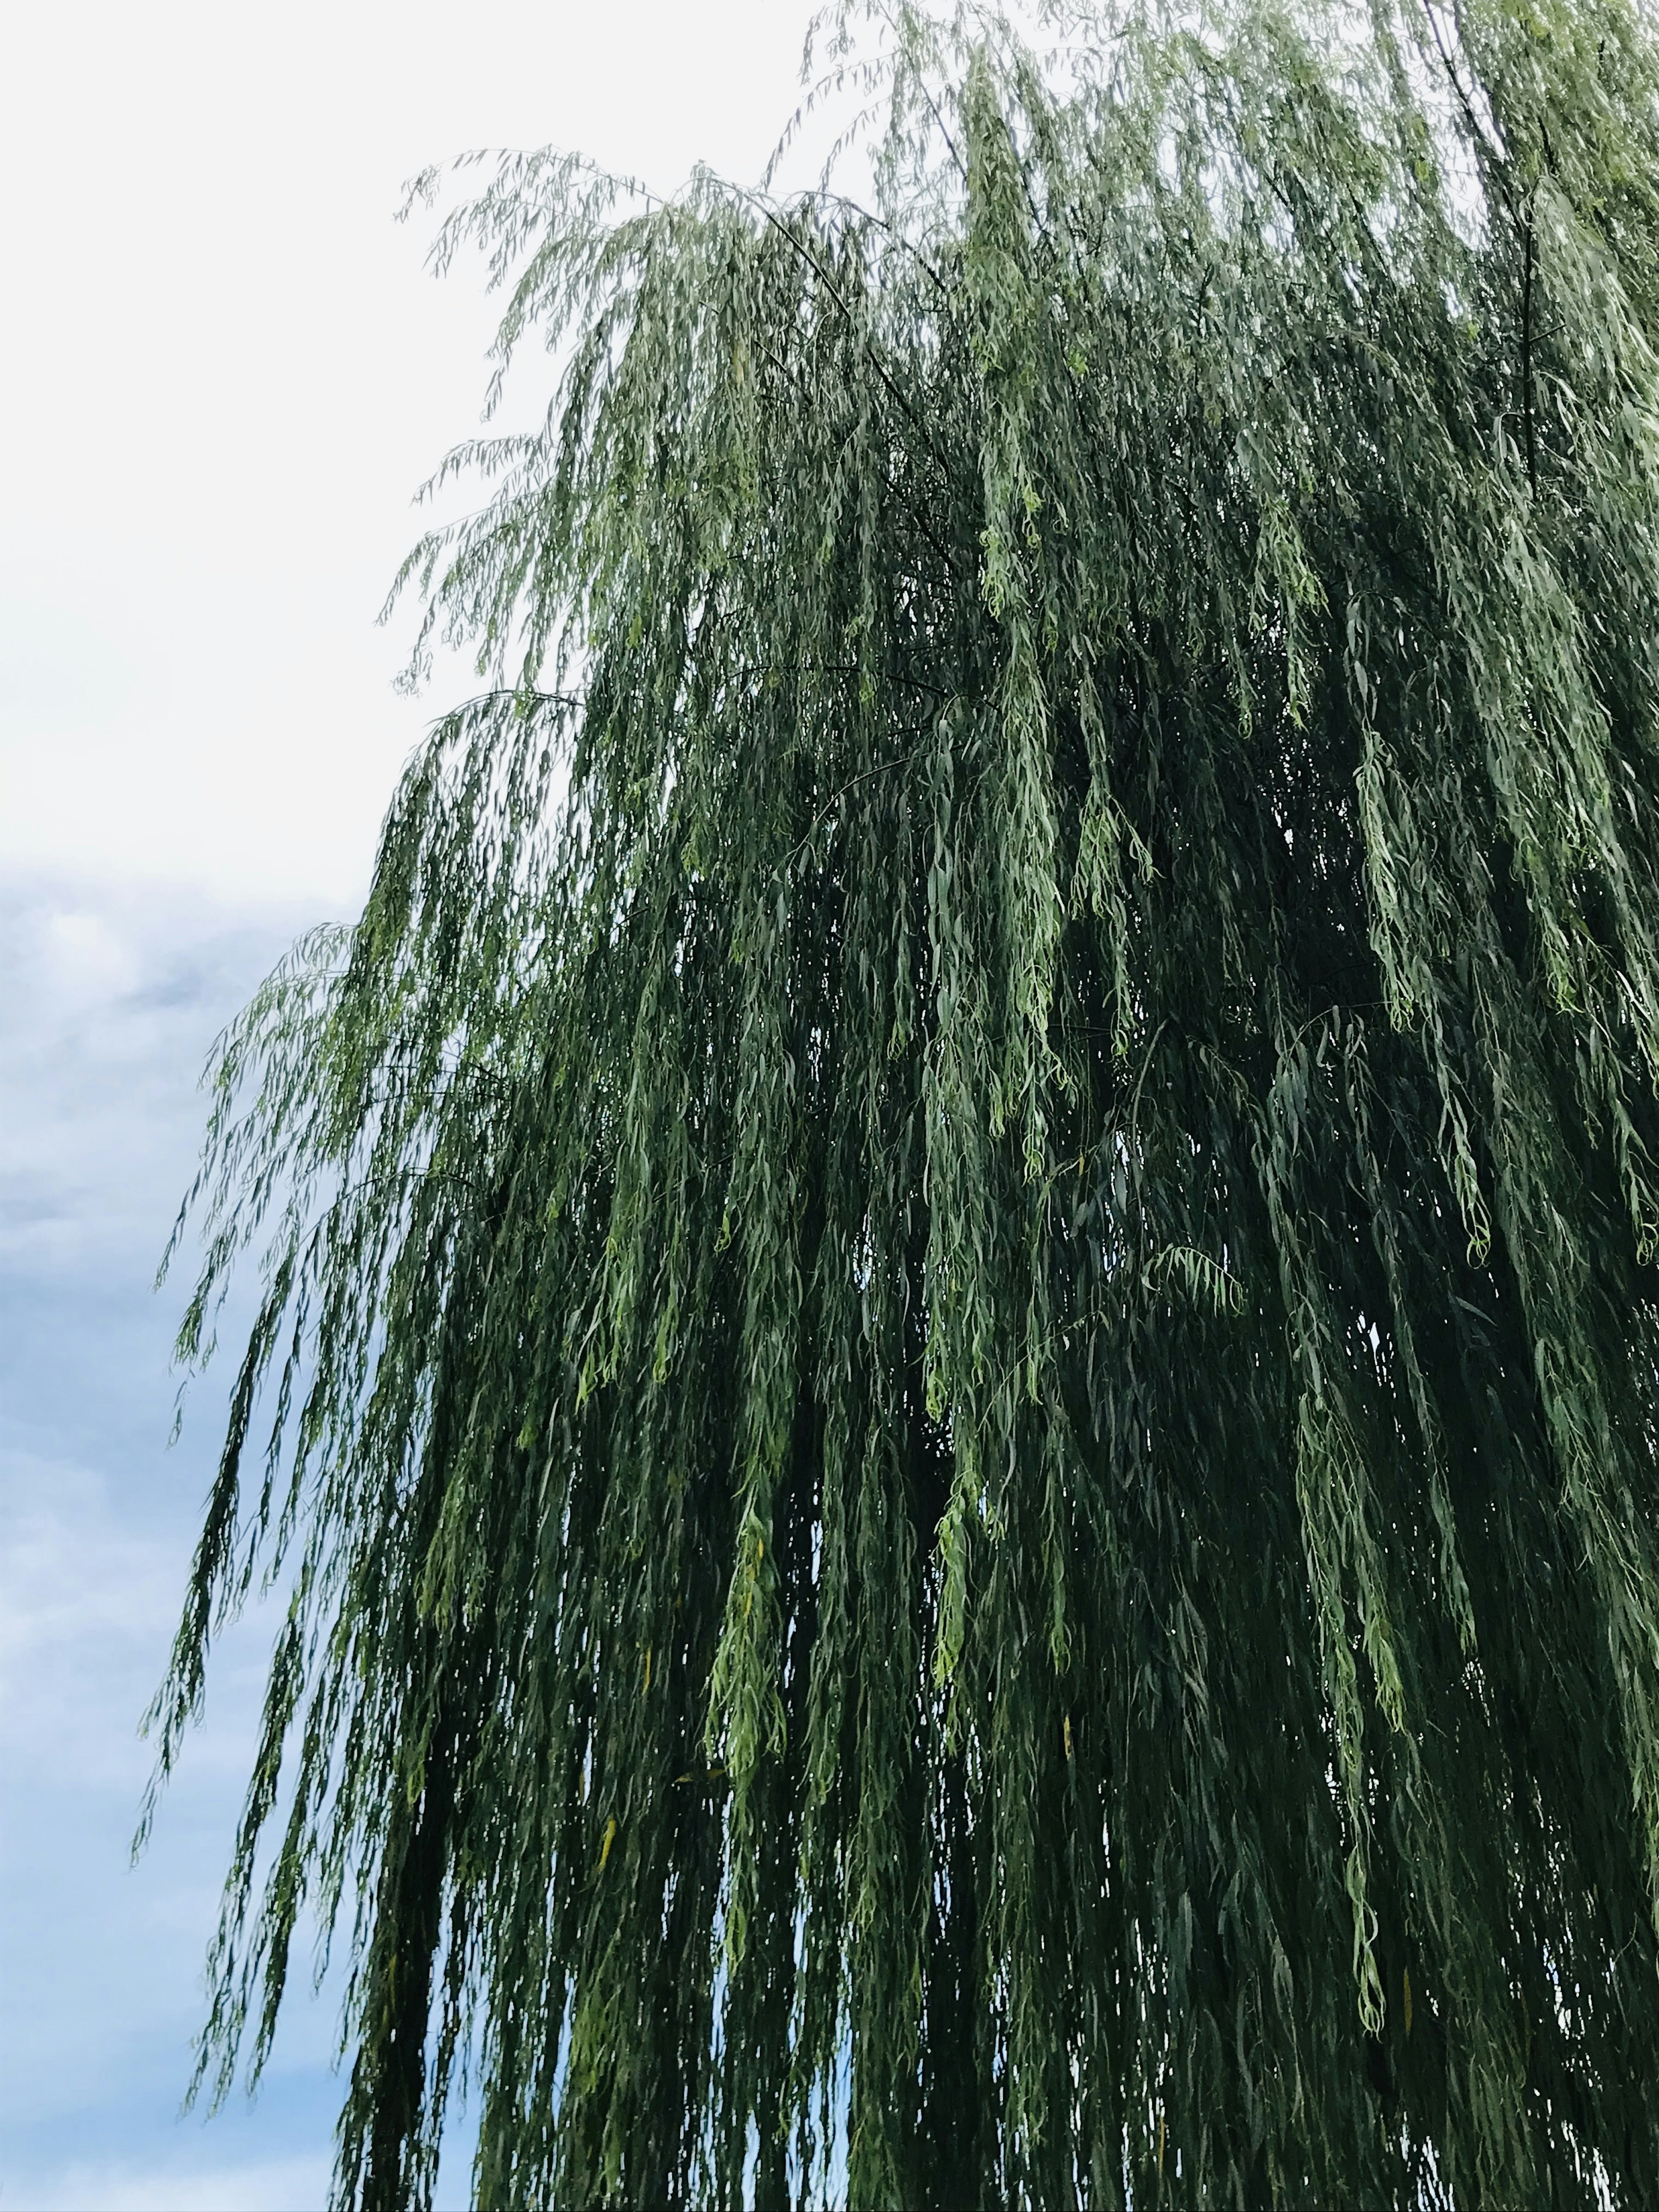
225,377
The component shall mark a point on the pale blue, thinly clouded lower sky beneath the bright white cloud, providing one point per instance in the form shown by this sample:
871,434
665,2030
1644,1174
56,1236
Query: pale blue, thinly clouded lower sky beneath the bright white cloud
109,1008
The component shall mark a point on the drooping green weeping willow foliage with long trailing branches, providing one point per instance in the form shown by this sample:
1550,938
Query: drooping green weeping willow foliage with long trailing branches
959,1350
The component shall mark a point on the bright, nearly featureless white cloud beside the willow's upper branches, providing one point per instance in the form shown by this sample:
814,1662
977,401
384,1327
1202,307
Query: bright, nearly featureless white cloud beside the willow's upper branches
227,373
